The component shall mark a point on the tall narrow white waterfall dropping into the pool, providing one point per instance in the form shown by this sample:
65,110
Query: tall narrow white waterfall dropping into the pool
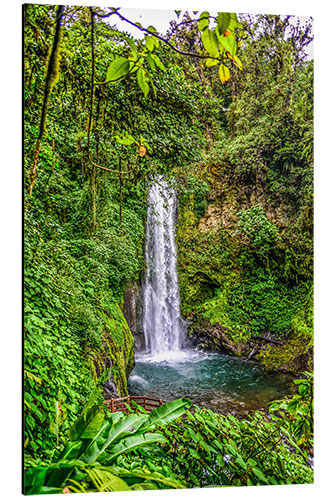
162,323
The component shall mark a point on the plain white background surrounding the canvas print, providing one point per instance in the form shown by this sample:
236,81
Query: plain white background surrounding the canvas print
11,248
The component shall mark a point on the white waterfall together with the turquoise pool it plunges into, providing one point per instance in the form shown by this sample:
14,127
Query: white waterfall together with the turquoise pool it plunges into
168,370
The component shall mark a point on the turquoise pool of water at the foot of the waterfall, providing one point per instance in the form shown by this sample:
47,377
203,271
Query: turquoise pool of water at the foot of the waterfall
218,382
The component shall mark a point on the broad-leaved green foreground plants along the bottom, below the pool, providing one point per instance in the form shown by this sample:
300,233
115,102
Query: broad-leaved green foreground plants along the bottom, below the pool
119,452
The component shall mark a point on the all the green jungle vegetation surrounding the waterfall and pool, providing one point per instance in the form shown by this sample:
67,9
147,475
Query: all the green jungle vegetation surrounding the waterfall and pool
225,110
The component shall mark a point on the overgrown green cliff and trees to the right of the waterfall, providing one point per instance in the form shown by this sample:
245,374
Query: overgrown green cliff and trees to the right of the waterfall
245,254
